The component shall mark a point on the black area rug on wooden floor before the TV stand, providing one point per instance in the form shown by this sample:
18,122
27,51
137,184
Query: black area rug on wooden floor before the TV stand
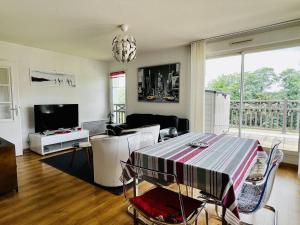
79,169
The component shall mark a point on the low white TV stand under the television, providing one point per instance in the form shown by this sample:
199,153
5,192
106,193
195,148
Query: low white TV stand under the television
46,144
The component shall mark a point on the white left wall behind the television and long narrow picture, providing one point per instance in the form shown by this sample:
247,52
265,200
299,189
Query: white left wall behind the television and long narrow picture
91,92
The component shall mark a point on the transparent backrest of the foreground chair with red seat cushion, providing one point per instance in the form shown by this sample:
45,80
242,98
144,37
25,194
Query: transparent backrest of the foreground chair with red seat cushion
145,180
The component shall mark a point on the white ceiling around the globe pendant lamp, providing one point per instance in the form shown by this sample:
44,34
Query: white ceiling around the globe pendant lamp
87,27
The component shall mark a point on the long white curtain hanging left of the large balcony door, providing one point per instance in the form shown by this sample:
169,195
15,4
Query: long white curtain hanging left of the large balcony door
197,90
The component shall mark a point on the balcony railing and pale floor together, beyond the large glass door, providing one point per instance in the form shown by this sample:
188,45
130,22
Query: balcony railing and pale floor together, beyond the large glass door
267,120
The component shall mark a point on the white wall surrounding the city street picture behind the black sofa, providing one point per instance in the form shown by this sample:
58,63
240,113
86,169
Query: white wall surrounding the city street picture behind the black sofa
181,55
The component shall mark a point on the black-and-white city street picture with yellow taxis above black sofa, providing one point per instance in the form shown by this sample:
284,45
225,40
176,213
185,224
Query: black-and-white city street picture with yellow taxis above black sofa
159,83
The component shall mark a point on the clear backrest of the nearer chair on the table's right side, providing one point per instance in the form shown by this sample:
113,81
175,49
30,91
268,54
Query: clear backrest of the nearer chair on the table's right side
267,185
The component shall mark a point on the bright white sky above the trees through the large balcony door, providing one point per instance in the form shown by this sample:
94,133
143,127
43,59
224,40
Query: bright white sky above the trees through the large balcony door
278,59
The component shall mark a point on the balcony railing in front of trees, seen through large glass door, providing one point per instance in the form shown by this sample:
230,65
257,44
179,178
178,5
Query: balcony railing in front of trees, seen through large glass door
281,115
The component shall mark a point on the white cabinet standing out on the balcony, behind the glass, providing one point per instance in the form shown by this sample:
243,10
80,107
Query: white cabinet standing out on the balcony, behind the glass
217,109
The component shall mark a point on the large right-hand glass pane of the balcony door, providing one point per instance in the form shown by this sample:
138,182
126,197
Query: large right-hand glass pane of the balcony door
271,97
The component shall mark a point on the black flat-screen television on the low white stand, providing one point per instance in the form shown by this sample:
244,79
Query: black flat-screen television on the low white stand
54,117
